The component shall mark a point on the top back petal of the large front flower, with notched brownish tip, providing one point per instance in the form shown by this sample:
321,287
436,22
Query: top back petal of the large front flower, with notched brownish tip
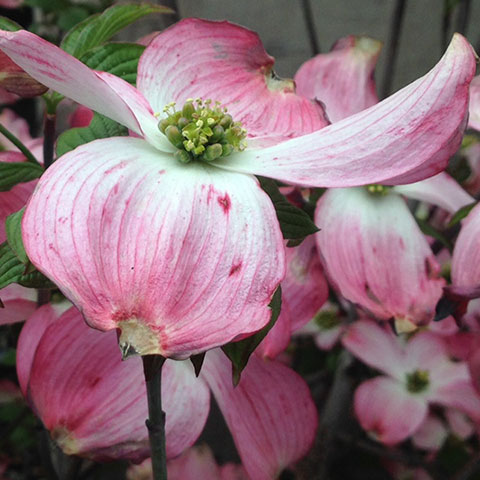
227,63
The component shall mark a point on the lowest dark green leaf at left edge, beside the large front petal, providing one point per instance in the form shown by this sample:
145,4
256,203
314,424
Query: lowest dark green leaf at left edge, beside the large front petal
12,270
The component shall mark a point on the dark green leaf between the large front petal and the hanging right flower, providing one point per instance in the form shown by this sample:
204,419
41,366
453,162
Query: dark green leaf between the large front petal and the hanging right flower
294,222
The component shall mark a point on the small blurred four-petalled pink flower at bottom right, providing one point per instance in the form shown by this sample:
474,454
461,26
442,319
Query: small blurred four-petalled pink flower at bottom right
418,373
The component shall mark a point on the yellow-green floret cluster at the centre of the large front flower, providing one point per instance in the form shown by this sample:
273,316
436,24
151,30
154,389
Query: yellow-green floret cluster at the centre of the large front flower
202,131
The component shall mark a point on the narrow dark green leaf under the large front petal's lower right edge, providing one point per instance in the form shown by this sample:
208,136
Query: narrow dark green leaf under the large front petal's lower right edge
239,352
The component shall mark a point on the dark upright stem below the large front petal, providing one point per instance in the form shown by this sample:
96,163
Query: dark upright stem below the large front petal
152,367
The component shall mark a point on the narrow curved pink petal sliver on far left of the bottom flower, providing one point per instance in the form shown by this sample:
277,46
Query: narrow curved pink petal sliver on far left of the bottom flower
29,338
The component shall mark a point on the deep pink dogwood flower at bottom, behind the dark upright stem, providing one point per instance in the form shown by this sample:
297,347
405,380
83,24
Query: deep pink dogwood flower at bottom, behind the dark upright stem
94,404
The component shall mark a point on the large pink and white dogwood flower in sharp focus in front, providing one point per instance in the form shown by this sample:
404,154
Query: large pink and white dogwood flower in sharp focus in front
184,257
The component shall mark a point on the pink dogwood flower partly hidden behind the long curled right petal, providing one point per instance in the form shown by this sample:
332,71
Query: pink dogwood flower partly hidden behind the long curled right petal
370,245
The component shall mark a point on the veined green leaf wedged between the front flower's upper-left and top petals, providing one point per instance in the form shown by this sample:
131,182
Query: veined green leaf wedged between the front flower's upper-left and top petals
120,59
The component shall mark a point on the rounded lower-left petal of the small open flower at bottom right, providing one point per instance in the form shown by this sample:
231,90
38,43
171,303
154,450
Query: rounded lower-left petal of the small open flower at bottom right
387,411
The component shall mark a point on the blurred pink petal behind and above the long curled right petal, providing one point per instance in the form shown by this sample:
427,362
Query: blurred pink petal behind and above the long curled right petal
343,78
